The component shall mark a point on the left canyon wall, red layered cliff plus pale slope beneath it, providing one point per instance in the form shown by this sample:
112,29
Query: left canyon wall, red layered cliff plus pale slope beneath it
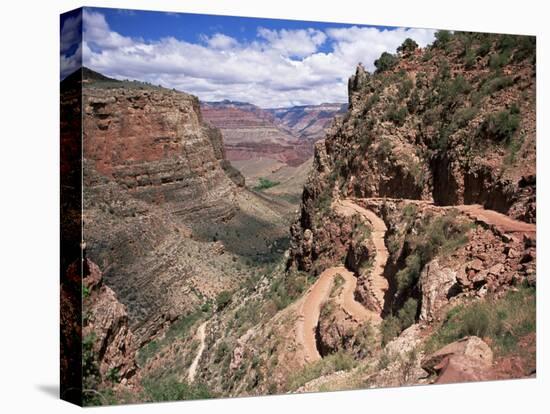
152,170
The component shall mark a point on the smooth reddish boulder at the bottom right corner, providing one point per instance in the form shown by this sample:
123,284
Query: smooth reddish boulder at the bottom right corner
469,359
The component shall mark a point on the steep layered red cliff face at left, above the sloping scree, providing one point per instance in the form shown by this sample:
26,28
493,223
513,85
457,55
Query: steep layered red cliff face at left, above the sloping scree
153,142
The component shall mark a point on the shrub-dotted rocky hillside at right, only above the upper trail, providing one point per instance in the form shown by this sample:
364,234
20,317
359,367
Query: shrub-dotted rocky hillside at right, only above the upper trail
424,129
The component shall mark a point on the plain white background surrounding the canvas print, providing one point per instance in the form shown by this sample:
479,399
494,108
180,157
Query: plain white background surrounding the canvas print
29,206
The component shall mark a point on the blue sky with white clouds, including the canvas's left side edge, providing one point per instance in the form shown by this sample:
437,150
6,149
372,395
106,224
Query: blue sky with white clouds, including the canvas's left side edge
268,62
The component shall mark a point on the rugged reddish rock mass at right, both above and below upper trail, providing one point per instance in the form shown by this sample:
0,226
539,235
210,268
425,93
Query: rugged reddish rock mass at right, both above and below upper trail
420,136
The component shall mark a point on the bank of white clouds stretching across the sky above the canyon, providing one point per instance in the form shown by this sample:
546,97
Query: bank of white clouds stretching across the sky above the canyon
279,68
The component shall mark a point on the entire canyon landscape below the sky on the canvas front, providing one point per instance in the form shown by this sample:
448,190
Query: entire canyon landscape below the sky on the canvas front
384,242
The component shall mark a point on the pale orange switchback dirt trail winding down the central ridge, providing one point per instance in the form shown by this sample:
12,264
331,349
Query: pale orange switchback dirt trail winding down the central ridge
310,307
